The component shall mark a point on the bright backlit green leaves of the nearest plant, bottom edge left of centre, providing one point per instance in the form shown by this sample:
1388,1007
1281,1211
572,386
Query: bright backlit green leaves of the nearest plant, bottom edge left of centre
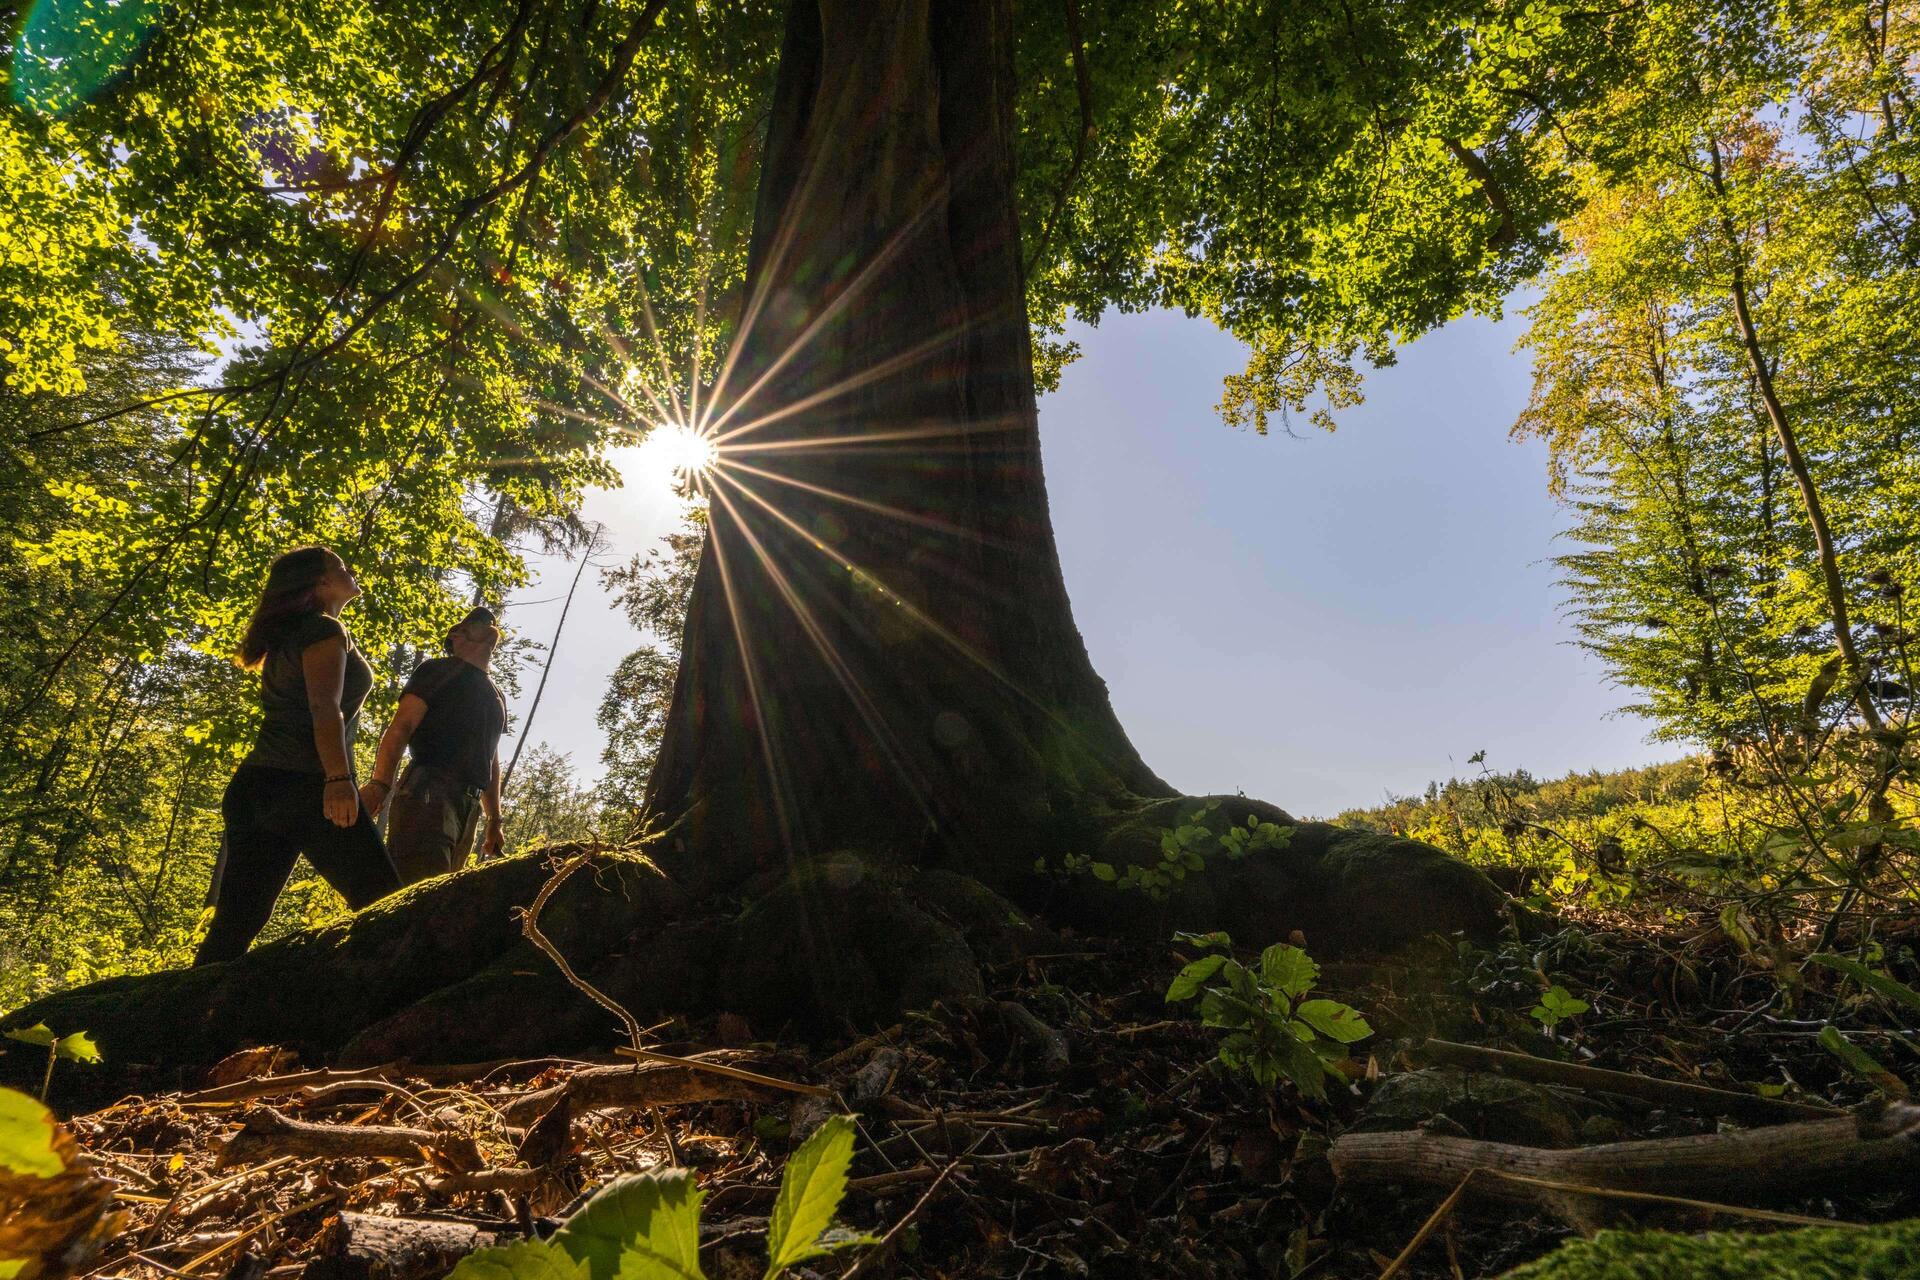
648,1227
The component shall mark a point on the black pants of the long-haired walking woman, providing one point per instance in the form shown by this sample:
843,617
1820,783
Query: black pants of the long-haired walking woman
272,818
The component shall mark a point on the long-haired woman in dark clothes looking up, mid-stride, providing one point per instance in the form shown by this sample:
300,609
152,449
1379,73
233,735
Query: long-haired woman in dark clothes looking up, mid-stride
295,794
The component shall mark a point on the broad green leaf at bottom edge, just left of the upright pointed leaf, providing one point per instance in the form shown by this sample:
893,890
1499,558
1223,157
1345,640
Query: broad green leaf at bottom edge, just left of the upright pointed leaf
642,1227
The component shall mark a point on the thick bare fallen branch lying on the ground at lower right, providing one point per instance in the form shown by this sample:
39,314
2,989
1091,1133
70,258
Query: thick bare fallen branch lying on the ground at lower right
1748,1164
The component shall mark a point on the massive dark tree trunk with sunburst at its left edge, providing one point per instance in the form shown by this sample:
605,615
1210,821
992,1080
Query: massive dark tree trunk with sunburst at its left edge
880,650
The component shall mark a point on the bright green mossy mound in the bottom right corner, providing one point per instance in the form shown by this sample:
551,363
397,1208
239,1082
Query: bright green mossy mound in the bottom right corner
1890,1252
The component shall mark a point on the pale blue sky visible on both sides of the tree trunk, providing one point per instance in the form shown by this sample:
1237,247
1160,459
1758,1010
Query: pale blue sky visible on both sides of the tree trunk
1316,621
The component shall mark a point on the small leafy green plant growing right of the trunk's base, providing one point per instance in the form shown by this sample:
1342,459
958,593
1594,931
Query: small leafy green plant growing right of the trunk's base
1274,1031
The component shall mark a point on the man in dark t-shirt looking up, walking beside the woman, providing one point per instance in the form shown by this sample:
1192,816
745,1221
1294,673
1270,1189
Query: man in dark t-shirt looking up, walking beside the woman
450,717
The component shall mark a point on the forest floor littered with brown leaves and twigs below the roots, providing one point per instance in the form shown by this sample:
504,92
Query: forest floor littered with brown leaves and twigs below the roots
1070,1124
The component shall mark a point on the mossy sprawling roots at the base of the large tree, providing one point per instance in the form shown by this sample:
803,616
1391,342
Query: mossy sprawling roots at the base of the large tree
850,939
